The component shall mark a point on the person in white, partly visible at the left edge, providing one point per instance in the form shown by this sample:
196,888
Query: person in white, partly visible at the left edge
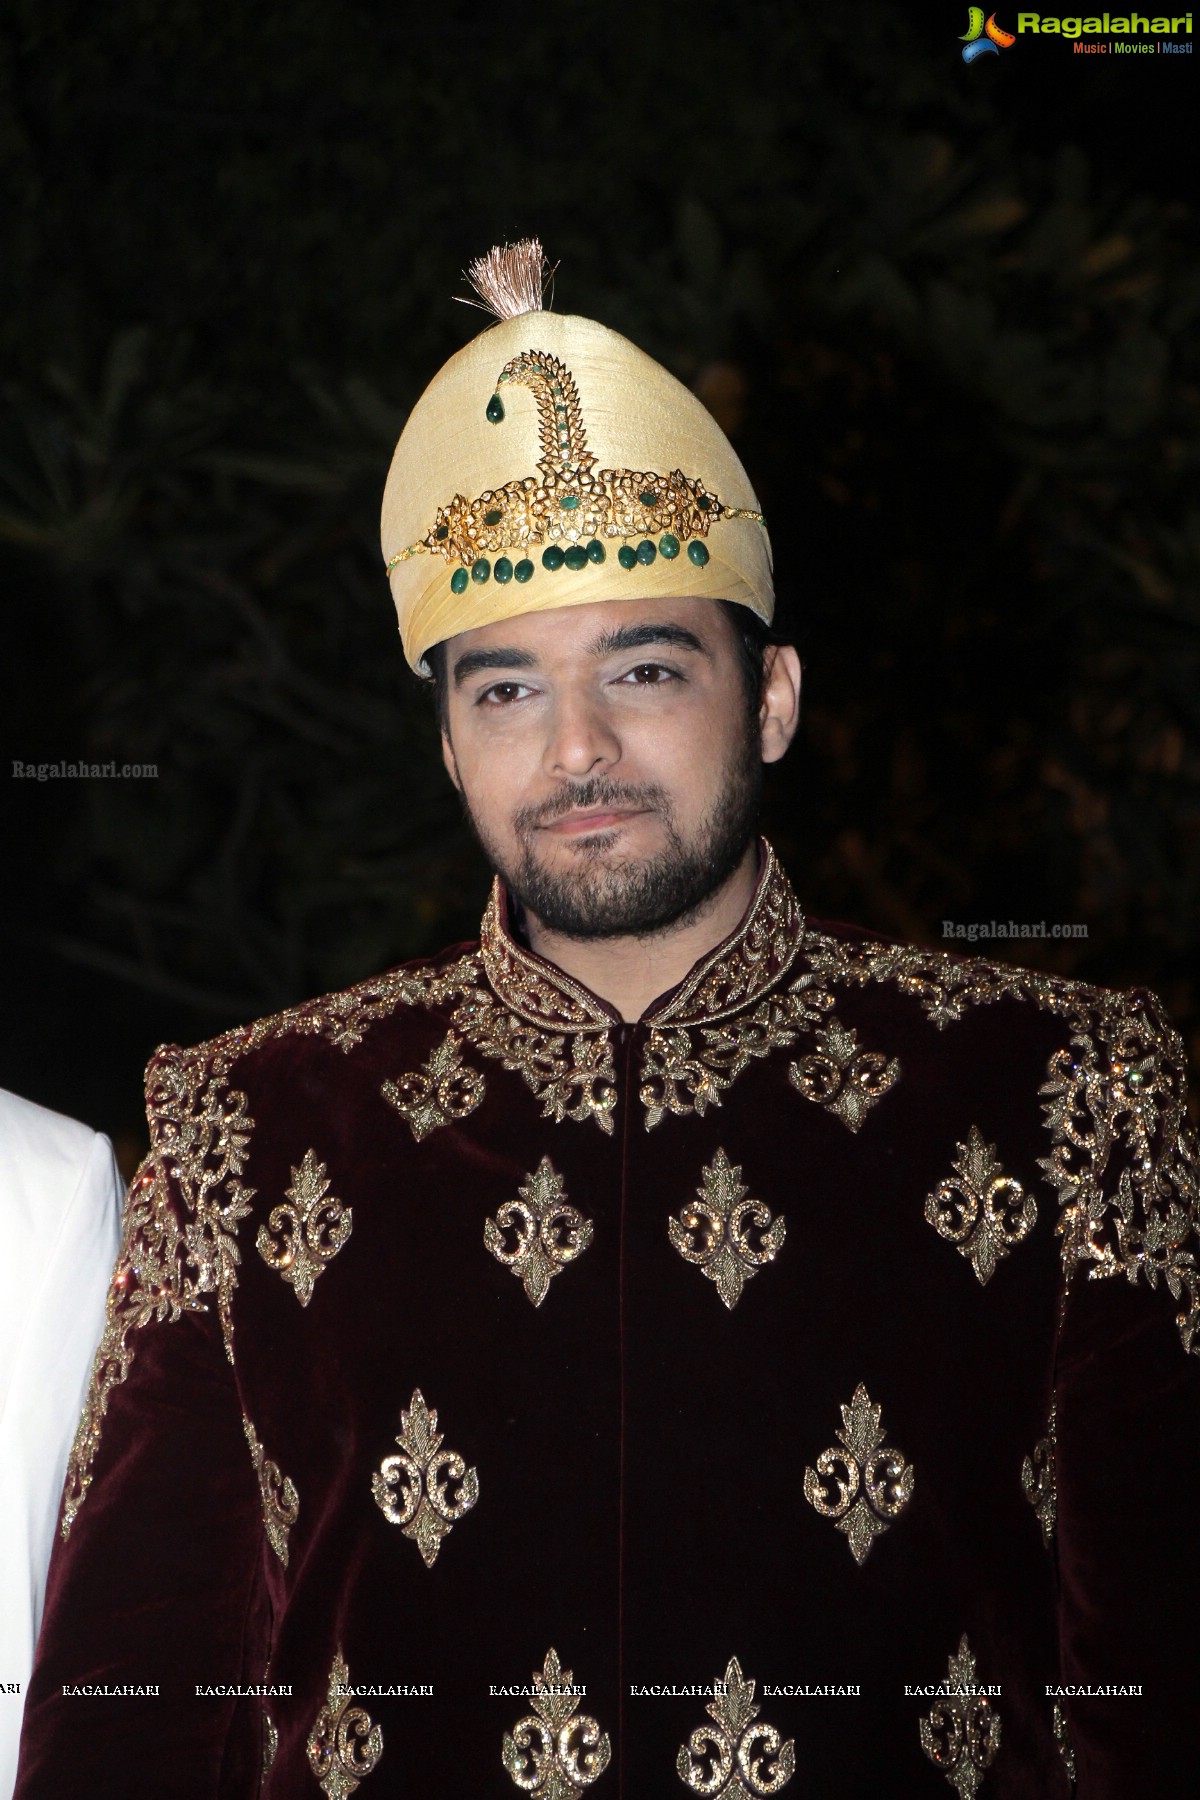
60,1209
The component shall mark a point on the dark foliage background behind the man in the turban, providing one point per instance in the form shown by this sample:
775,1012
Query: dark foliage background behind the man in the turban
947,314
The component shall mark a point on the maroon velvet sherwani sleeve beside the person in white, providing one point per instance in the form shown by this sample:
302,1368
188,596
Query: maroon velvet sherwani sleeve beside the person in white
156,1579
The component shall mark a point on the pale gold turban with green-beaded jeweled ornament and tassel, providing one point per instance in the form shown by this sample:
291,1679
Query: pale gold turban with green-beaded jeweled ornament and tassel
551,463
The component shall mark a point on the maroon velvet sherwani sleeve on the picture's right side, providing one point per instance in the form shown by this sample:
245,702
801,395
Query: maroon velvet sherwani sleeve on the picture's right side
1129,1435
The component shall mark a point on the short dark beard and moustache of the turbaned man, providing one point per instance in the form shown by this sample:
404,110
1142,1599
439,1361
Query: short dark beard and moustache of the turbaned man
634,897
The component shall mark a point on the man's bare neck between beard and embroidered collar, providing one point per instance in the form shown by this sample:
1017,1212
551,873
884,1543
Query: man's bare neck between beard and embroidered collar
631,973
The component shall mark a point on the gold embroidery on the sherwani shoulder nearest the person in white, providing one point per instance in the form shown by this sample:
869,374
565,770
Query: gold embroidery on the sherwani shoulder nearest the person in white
172,1254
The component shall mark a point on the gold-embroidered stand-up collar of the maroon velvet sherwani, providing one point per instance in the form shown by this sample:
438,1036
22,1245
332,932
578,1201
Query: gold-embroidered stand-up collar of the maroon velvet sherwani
753,960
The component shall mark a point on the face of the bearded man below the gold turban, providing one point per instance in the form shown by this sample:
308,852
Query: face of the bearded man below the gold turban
609,760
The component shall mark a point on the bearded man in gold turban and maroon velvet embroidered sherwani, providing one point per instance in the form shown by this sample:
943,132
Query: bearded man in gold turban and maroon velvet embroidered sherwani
667,1347
